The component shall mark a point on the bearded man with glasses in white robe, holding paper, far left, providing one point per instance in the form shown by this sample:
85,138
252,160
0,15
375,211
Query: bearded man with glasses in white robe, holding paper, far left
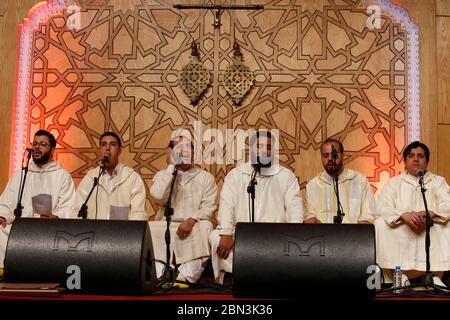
48,192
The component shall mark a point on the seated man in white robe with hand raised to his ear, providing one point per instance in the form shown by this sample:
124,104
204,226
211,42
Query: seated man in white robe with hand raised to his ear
194,202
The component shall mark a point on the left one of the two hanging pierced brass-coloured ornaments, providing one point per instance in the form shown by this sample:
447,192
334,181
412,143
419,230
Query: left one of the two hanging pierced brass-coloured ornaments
194,77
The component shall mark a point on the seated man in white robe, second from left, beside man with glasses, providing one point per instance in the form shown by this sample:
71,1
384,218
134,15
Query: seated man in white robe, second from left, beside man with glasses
120,193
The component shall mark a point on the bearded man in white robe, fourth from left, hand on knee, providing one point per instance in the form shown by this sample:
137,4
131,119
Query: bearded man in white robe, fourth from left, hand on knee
277,199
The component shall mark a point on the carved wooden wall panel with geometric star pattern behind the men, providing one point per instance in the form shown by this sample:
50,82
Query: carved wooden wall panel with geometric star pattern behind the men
319,72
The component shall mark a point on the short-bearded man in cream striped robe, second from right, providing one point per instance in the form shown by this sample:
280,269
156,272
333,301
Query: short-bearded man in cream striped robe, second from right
355,193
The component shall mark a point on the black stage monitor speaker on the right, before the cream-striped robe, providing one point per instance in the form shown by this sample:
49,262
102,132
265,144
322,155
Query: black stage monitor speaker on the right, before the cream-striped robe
290,260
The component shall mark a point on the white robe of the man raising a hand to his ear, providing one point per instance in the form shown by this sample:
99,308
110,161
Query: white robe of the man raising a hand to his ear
194,196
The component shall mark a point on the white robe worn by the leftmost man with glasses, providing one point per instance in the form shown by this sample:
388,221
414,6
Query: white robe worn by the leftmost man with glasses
50,179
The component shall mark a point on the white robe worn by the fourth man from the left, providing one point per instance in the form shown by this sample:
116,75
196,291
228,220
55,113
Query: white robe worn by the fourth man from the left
277,199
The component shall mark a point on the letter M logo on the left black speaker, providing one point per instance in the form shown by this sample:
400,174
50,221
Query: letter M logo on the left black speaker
73,242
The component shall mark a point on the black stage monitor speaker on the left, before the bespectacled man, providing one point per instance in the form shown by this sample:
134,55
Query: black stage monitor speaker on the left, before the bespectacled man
106,256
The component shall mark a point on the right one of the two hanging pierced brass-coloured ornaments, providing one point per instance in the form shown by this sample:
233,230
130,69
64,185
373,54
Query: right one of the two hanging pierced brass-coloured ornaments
237,78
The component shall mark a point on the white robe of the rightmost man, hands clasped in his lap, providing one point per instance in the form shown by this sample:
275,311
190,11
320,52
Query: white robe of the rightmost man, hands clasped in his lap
396,243
